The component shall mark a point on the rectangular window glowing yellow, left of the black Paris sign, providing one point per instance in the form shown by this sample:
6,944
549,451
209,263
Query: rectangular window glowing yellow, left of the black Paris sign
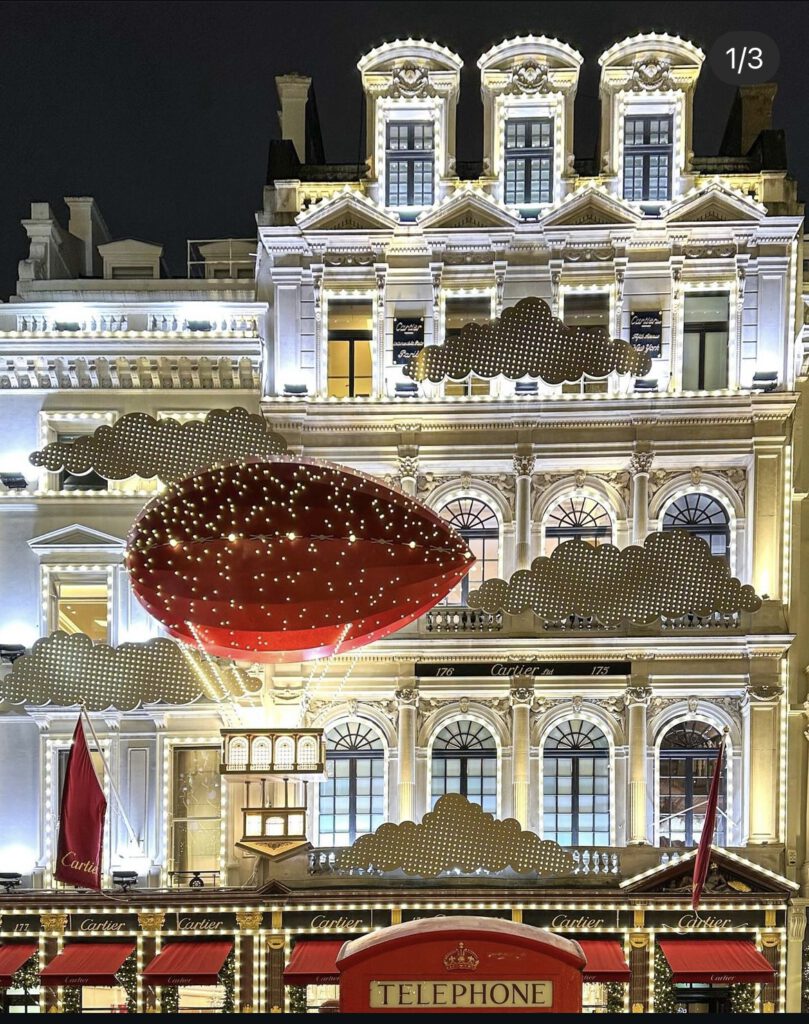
351,363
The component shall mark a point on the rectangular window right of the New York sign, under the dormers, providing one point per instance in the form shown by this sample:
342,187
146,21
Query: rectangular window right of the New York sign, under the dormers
706,328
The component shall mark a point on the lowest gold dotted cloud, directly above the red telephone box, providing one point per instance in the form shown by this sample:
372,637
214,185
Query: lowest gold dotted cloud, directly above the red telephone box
456,835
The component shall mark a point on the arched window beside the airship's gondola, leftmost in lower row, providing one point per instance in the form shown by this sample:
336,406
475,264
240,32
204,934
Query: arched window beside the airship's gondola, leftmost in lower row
352,798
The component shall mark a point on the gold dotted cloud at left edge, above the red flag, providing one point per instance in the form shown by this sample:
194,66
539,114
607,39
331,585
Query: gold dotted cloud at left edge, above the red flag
68,669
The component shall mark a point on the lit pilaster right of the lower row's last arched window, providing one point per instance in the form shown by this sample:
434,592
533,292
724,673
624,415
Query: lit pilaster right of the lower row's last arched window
761,712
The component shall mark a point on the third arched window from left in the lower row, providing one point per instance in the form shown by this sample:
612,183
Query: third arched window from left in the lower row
576,785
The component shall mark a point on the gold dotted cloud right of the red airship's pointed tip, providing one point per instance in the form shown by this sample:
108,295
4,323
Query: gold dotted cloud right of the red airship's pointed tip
674,574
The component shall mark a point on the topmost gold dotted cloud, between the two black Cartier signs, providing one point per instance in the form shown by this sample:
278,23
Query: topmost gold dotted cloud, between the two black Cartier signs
528,342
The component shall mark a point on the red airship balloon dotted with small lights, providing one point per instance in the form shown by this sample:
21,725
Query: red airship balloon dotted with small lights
289,561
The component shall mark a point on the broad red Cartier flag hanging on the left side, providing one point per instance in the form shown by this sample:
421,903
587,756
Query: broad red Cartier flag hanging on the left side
81,820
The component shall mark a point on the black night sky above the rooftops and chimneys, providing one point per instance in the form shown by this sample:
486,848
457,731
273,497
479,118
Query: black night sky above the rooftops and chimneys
163,111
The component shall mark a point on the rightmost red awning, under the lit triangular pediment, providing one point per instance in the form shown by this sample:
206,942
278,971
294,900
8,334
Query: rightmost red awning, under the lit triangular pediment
716,962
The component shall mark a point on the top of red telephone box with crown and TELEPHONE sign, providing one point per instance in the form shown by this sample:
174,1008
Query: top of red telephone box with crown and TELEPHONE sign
461,965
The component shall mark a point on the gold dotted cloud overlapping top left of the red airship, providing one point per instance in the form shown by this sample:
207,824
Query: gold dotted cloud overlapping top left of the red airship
140,445
